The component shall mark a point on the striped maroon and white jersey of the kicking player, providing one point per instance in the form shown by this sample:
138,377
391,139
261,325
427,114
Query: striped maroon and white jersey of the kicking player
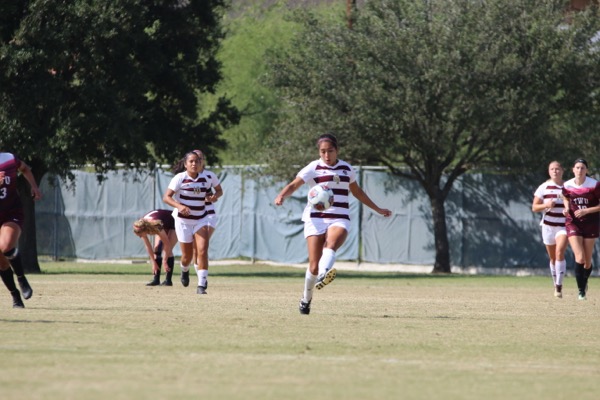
338,179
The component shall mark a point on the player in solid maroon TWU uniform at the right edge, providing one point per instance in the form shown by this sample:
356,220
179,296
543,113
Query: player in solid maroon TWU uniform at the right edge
582,209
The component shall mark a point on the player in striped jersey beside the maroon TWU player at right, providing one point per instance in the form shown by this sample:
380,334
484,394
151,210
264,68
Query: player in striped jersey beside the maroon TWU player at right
548,199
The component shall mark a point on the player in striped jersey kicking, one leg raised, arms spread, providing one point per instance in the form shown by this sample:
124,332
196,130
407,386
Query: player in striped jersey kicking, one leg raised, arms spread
325,231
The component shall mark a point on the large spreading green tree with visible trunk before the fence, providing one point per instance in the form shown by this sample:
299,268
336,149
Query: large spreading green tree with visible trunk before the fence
433,89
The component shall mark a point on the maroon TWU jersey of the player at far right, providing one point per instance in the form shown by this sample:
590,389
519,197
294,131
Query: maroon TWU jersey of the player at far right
582,196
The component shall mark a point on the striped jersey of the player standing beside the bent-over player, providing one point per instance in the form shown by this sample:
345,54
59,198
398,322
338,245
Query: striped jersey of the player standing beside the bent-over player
191,193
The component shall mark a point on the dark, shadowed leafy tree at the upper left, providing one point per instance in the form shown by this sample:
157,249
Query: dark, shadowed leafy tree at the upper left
101,83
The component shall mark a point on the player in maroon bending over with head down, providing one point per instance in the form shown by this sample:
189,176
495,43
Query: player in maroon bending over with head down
159,223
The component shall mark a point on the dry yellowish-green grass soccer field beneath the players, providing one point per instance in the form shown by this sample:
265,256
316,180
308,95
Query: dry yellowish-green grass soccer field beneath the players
97,332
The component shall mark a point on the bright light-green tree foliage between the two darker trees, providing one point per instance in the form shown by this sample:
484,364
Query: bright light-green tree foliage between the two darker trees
251,30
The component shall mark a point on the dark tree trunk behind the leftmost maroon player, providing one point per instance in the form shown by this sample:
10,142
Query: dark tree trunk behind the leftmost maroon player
28,240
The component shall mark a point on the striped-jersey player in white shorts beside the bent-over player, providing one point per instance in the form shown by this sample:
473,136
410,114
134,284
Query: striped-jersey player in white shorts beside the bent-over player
190,193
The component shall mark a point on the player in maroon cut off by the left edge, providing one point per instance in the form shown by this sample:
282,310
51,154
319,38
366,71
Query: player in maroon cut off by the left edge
11,222
